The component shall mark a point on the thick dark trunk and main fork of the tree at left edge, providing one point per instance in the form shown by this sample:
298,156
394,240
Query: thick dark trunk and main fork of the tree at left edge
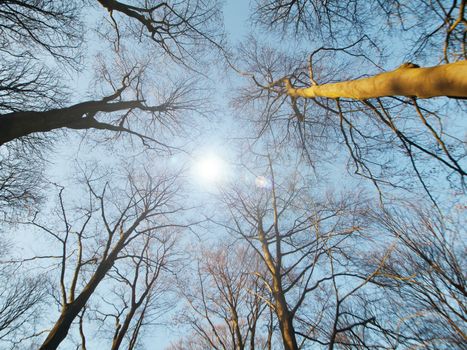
79,116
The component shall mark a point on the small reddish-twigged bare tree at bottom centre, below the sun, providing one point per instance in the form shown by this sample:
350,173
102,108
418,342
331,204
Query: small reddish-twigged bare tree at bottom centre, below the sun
225,307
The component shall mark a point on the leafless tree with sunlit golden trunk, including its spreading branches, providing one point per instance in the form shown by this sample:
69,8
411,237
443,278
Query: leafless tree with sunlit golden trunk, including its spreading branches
388,138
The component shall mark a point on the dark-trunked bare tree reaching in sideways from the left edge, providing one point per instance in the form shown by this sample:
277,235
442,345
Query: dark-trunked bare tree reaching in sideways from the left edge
82,116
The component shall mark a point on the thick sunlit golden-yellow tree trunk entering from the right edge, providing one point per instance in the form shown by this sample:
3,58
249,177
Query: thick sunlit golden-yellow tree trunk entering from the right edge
407,80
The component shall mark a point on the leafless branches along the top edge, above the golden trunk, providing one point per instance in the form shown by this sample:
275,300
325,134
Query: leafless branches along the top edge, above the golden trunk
428,24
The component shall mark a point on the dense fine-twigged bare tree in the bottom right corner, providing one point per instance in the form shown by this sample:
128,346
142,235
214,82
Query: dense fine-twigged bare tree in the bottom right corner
424,275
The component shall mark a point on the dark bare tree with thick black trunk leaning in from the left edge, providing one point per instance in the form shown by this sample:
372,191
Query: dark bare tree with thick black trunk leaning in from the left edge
85,115
